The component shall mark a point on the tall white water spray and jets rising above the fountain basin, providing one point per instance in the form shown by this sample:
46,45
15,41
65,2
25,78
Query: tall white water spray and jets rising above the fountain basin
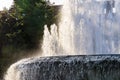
86,27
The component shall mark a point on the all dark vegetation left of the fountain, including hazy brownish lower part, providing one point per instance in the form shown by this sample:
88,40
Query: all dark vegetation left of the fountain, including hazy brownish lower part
21,29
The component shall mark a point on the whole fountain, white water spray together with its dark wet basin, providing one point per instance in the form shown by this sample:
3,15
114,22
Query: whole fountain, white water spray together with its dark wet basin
89,32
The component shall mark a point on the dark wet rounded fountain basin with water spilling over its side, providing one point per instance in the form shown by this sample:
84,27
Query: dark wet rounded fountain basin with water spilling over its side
79,67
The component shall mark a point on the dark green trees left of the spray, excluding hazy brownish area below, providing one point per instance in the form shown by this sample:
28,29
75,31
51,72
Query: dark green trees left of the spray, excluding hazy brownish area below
23,24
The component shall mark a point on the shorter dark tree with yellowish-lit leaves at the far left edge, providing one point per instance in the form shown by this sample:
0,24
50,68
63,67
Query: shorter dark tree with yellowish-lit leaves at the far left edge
10,28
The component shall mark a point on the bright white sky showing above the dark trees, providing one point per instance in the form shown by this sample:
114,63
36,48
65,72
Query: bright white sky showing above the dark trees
7,3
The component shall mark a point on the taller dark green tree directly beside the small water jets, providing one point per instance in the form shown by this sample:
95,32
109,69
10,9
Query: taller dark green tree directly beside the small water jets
36,13
